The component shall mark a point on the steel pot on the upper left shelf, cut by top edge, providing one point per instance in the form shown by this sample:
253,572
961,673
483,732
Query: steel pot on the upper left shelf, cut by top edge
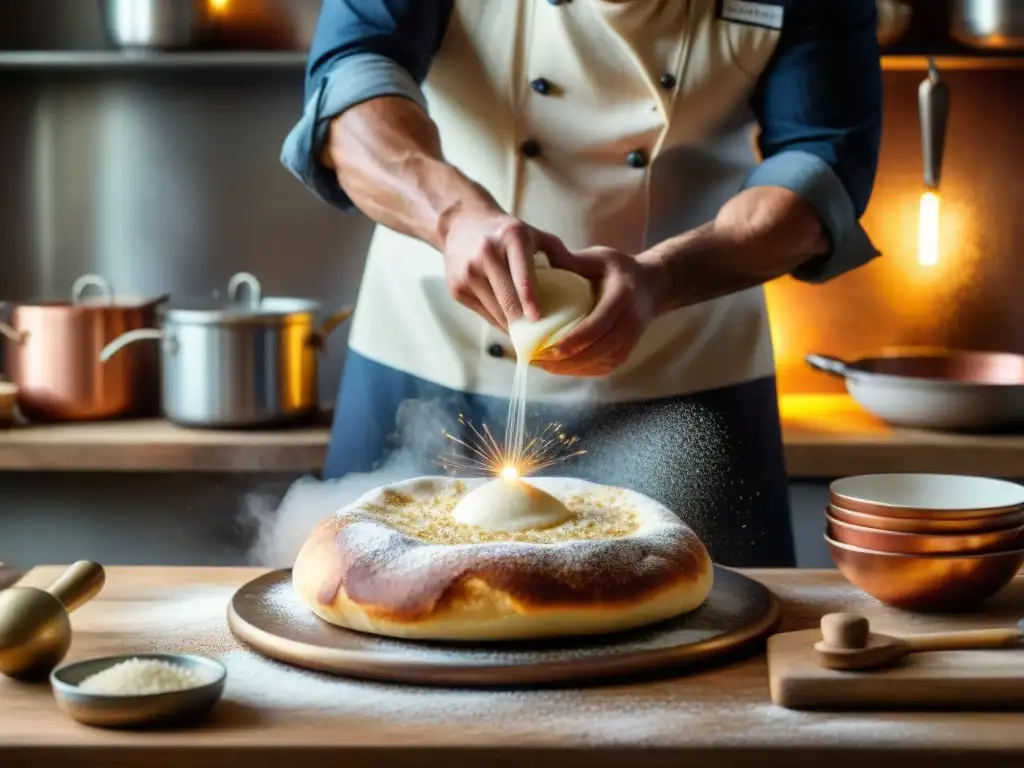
156,24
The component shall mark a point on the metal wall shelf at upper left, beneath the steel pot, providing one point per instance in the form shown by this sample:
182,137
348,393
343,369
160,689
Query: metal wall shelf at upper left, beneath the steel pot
116,60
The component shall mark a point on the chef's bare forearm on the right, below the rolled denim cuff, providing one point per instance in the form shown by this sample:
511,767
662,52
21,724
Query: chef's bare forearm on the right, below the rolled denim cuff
762,234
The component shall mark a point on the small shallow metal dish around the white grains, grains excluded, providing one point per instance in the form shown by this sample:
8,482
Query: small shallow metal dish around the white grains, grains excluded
138,711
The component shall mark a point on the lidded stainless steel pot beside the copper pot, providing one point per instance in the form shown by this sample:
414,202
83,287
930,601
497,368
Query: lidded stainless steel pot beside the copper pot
239,364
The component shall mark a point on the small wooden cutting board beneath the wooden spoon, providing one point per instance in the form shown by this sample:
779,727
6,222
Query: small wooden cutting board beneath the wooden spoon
958,680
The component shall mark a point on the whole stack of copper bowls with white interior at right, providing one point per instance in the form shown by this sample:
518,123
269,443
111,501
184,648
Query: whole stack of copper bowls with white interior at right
927,542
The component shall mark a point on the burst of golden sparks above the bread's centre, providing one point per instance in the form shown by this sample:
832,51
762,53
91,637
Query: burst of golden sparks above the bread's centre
483,455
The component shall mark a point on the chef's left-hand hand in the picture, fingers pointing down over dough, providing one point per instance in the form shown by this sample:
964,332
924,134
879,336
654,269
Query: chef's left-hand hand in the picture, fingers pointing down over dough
489,265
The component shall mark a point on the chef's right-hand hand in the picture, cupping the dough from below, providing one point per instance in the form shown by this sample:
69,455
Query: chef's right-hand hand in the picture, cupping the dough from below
625,308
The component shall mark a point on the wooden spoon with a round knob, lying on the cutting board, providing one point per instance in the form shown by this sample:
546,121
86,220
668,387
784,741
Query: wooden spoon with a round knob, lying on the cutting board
848,644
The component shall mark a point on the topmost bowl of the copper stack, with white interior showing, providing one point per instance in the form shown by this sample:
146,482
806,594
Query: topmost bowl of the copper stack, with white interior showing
929,497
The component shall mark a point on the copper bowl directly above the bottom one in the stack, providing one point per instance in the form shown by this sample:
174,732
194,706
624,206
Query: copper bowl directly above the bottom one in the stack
924,544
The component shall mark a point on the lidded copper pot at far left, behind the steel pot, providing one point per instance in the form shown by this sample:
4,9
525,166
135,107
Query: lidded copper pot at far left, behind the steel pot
53,352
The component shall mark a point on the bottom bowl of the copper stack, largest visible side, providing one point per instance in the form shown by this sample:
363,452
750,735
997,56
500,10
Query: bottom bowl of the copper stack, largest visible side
926,583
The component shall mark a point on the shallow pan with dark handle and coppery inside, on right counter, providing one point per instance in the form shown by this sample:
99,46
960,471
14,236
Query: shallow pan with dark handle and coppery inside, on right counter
941,390
